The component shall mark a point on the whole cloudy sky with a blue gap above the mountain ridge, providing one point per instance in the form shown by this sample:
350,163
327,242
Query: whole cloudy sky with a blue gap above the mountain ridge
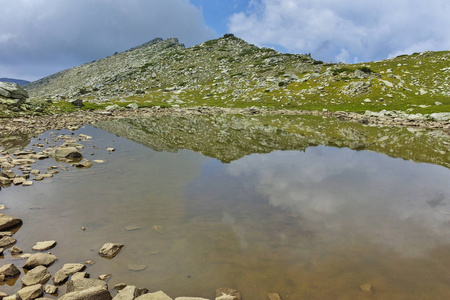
41,37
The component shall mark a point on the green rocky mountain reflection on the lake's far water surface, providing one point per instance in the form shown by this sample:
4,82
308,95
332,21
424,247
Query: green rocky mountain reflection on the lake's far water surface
230,137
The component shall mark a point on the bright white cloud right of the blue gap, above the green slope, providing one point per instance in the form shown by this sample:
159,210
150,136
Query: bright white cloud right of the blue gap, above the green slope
336,30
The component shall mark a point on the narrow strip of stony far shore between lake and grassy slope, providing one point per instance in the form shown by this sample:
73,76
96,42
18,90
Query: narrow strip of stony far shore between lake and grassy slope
42,123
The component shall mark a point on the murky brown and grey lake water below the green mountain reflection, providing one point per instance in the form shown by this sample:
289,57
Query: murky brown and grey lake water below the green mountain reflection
310,224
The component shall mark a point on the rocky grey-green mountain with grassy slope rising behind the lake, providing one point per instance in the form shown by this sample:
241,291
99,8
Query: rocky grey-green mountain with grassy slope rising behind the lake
230,72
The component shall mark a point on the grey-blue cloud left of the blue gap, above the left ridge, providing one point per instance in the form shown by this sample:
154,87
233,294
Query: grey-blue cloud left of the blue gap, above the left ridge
40,37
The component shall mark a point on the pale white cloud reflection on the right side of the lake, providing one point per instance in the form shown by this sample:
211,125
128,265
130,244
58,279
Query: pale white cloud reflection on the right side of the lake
357,195
